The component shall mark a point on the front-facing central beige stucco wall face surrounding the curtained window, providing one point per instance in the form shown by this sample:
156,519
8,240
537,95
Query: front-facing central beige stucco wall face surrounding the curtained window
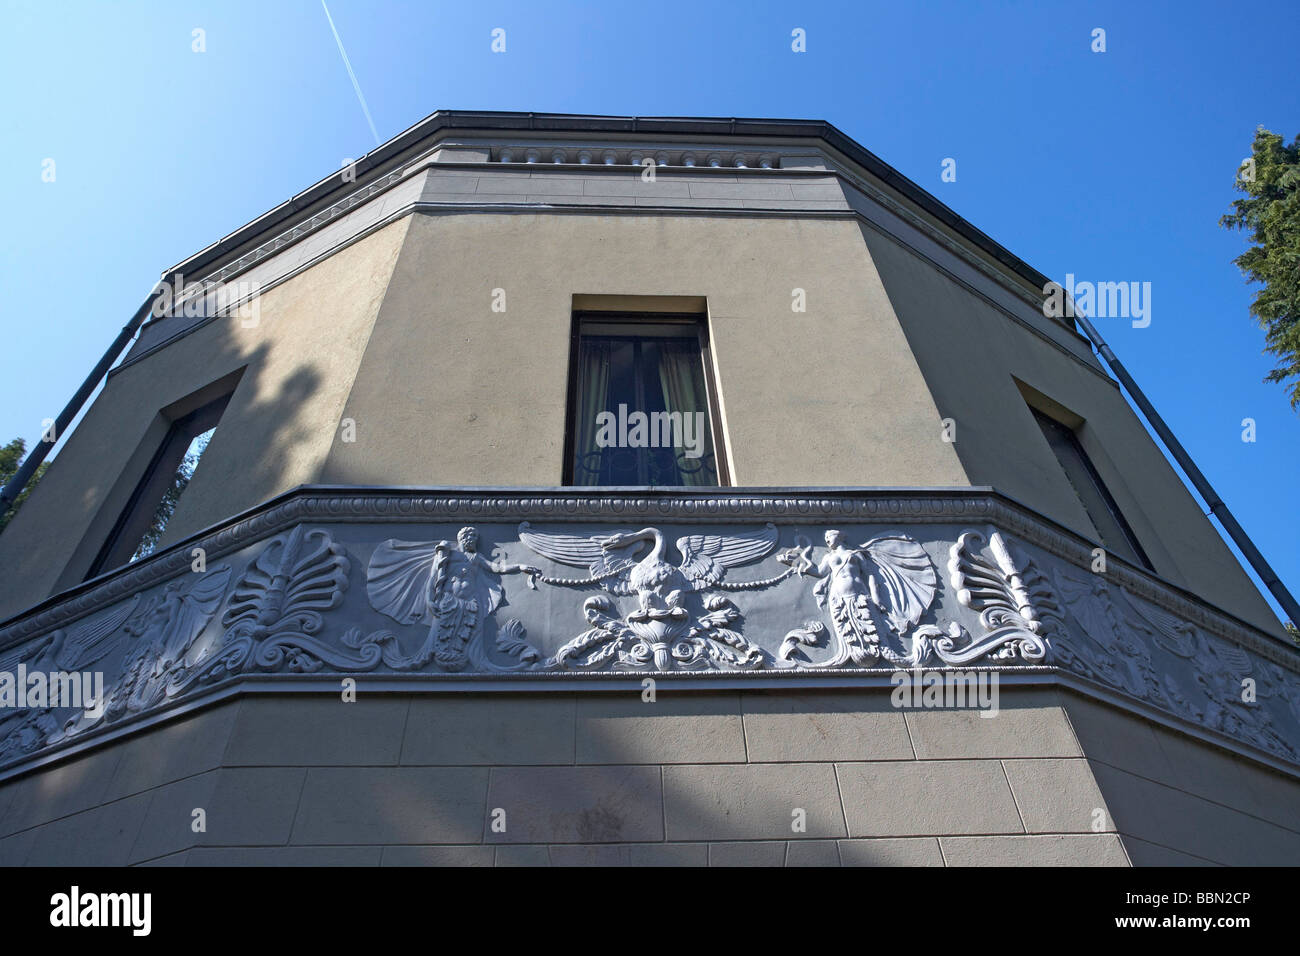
452,393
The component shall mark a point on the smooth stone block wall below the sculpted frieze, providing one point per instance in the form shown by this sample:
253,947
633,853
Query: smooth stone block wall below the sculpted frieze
695,778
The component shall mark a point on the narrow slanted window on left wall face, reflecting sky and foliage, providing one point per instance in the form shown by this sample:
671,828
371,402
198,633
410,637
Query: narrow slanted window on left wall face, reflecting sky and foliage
154,501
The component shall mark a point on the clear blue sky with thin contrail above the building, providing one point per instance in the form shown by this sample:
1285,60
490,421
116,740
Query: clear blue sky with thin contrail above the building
1110,166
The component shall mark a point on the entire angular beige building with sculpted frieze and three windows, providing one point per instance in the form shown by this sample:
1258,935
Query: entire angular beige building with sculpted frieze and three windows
580,490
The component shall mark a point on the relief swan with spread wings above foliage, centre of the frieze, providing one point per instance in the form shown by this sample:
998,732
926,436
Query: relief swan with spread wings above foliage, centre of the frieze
675,624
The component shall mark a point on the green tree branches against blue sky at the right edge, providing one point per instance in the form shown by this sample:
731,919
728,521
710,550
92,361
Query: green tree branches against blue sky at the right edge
1271,180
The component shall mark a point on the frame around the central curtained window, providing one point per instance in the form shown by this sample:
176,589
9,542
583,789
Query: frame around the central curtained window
690,322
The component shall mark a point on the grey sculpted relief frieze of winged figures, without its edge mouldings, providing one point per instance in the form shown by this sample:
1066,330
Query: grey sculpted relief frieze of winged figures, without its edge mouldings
722,599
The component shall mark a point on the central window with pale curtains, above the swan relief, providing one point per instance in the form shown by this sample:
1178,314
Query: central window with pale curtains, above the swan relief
643,406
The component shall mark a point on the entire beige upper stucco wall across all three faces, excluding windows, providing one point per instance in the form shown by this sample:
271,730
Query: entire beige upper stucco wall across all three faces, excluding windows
398,335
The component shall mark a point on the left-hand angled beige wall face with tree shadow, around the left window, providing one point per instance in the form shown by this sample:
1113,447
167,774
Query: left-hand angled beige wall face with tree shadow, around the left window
275,435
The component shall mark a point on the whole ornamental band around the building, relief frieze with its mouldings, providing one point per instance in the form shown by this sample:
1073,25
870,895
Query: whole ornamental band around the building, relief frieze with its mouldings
564,590
